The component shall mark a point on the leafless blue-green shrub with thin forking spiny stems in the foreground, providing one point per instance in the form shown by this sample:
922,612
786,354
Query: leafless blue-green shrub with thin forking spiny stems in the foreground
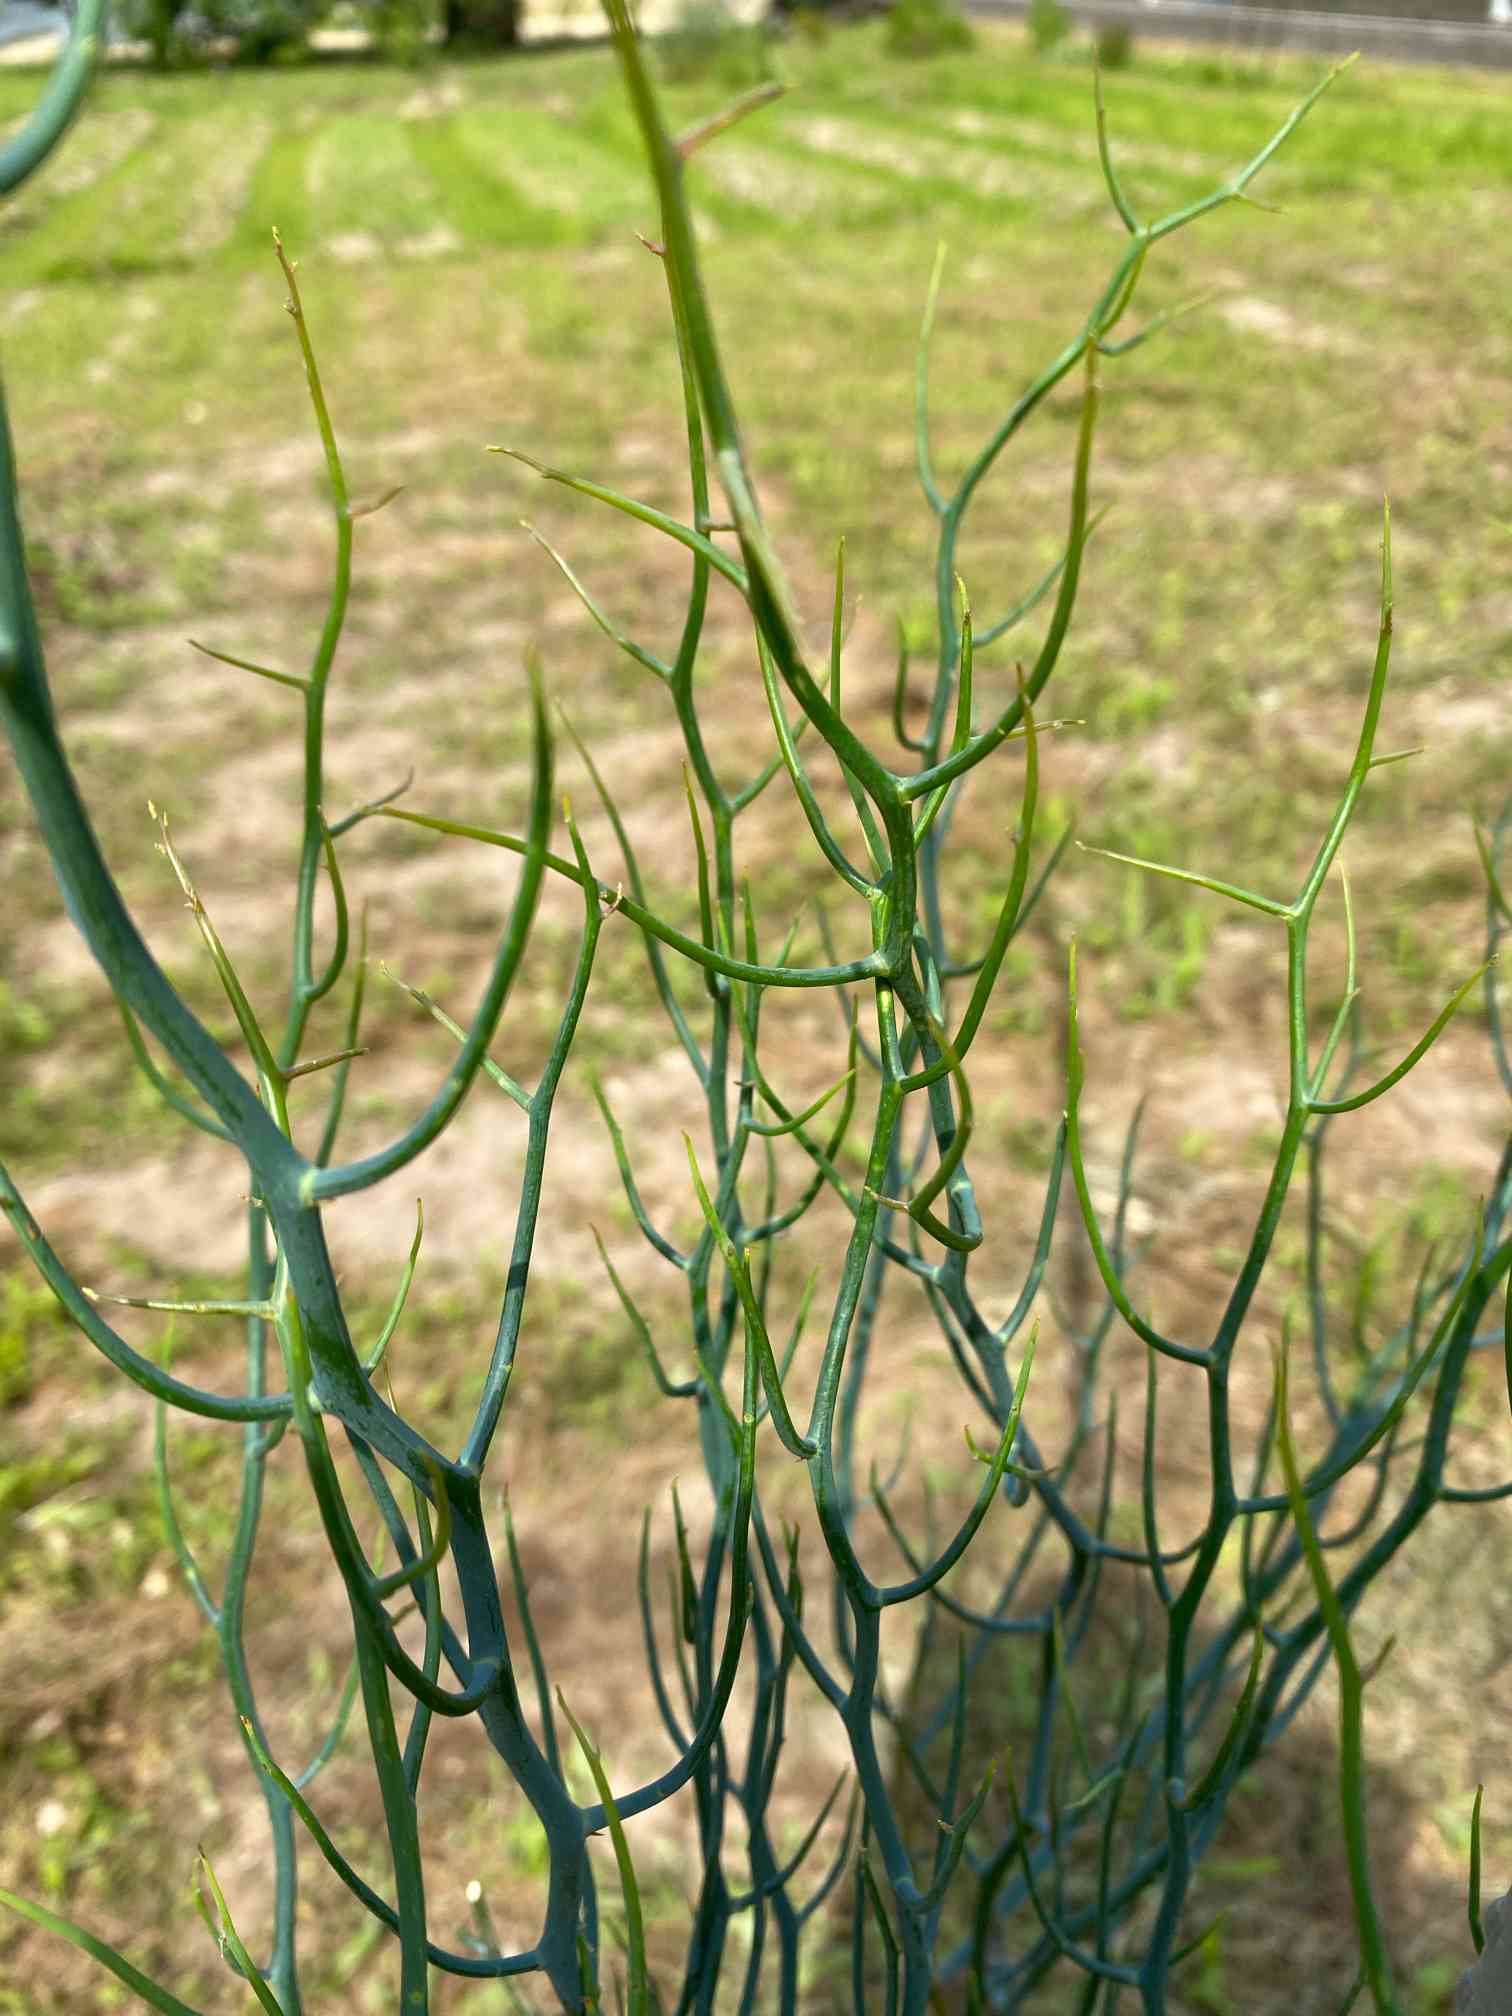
1136,1676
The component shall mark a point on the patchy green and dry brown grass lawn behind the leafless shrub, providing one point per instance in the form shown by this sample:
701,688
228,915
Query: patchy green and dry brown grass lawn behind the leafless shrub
471,269
